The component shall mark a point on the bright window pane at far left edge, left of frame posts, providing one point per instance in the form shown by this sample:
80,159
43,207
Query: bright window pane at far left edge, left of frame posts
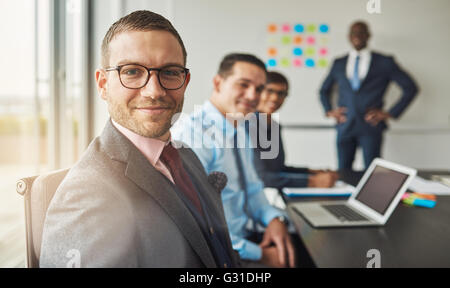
23,118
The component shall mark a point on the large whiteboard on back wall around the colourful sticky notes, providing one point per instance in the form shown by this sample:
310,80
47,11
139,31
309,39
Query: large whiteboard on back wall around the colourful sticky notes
414,31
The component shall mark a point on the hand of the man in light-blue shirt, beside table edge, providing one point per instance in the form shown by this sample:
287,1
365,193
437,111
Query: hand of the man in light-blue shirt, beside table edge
283,254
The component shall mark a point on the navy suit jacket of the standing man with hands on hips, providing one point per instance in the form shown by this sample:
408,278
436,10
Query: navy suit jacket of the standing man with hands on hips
382,71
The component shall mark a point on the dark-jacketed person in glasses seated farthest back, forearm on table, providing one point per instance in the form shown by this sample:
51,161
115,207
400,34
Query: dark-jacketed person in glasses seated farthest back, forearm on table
273,171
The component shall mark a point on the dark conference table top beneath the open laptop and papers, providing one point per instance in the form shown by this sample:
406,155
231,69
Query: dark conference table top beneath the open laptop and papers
412,237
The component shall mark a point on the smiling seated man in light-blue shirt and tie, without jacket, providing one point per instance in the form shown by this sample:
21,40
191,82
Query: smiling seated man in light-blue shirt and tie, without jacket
214,132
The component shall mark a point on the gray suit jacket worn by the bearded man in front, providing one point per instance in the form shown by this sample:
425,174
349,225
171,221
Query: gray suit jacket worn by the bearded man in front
114,209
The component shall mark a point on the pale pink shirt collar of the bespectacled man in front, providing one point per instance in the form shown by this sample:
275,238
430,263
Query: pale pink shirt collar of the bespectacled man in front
150,147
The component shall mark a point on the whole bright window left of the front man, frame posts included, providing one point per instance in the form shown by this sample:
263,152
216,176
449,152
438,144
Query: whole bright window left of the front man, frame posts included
43,100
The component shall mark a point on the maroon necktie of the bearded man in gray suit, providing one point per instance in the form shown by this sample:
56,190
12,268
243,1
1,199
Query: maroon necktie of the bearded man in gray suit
171,158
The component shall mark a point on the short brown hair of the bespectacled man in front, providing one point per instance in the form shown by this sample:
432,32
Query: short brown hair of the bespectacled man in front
141,20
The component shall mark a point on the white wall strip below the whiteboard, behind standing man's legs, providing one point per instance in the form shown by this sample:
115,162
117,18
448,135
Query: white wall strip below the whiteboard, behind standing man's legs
419,148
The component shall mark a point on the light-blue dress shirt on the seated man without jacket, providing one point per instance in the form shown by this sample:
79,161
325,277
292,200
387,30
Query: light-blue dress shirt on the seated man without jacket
211,137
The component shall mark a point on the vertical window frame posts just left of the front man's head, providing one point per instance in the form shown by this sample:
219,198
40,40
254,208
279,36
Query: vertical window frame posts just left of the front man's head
57,144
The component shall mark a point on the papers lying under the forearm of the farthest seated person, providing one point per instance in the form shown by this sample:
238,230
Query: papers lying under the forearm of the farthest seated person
340,189
